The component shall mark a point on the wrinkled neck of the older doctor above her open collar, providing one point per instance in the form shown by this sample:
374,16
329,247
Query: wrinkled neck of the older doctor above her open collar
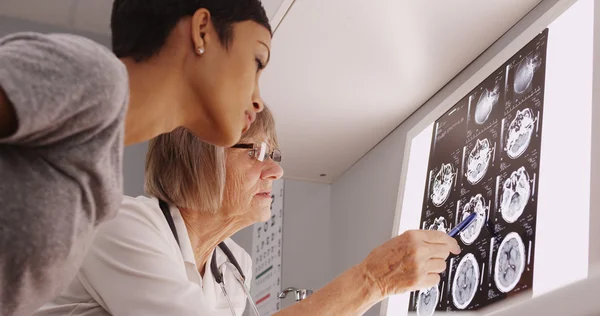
206,231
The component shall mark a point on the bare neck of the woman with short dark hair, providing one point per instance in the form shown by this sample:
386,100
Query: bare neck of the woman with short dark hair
154,100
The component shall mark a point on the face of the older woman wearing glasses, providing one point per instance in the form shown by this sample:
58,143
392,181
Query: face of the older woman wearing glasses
248,184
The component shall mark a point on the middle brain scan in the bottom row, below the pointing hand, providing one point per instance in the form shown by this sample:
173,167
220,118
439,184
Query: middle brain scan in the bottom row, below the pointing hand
466,280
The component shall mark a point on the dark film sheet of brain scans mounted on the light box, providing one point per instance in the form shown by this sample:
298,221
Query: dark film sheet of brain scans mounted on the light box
484,159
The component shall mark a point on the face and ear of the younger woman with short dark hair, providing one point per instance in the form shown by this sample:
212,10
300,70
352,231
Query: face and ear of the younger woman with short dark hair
225,79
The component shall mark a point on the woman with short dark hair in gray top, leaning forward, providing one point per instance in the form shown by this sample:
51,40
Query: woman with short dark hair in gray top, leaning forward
68,105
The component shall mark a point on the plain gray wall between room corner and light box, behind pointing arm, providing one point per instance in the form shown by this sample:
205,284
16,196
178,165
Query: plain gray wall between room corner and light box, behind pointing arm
363,201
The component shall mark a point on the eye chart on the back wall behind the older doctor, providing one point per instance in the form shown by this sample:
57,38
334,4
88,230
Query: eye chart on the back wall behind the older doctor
267,245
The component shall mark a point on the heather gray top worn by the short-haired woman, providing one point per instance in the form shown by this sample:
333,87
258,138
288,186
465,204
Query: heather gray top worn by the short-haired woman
64,100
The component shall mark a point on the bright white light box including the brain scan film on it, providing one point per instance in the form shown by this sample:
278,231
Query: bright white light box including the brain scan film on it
516,150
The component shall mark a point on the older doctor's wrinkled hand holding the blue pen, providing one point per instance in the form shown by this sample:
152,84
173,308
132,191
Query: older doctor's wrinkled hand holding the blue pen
409,262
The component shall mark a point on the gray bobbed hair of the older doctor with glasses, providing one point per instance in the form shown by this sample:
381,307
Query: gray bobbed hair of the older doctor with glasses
182,170
